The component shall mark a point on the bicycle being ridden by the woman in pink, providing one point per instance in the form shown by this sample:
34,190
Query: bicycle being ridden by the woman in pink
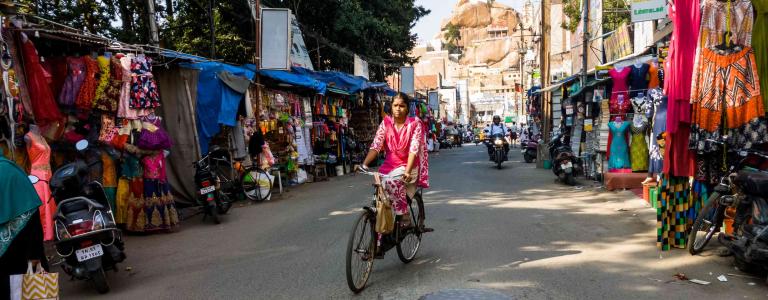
367,245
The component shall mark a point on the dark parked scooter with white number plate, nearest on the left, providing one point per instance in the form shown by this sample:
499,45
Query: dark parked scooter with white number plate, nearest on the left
87,237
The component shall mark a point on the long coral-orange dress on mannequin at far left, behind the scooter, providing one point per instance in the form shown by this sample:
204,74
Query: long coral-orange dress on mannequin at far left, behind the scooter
40,157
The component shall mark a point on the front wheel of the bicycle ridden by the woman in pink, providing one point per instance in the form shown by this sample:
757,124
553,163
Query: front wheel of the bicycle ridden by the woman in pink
361,252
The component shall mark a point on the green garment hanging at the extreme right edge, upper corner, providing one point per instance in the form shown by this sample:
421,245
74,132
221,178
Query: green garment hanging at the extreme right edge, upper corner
760,45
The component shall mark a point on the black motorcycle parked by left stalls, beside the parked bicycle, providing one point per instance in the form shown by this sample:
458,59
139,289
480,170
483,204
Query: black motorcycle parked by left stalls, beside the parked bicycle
214,188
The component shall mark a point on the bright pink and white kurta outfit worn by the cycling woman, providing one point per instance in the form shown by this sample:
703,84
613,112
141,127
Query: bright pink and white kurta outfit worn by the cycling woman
398,144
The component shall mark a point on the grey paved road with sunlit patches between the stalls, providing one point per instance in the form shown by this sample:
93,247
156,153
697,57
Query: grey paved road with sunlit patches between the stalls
513,231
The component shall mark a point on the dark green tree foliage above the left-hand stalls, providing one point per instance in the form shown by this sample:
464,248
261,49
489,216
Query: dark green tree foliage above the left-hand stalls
378,30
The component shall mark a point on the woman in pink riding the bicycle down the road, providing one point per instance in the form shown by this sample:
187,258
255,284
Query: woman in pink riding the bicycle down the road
402,139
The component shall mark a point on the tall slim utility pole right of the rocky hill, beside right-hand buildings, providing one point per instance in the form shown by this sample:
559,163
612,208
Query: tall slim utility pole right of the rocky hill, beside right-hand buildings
546,108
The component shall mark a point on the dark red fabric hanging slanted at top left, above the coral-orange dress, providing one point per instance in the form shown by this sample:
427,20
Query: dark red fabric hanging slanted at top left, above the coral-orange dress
43,105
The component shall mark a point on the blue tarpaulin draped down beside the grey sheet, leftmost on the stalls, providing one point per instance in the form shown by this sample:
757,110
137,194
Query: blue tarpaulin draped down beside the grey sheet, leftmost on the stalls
217,103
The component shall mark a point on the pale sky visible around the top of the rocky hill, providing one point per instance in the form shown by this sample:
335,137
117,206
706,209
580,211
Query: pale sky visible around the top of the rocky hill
428,26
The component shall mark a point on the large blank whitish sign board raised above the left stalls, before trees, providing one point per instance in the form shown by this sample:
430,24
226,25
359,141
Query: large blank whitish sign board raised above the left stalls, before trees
276,39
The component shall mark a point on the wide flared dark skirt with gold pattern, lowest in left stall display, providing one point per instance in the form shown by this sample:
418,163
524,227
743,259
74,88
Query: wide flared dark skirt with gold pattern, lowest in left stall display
150,206
